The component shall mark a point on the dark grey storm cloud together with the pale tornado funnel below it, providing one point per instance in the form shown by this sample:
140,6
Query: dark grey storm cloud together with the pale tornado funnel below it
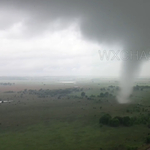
123,22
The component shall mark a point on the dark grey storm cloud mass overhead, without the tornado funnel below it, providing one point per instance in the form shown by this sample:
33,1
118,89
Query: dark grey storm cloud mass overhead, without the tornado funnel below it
122,21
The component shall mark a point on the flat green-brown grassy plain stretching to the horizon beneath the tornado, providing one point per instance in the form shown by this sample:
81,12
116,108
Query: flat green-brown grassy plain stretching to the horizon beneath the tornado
68,122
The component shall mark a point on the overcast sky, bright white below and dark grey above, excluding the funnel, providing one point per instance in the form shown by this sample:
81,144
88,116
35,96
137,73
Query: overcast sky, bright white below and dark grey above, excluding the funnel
62,37
